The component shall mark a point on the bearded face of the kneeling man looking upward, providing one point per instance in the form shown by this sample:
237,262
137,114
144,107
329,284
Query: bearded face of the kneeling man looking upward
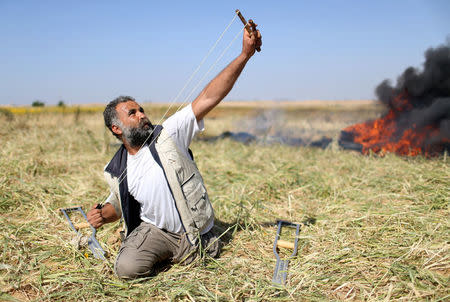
135,126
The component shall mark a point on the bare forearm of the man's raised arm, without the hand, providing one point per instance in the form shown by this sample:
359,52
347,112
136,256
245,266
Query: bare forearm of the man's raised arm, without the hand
219,87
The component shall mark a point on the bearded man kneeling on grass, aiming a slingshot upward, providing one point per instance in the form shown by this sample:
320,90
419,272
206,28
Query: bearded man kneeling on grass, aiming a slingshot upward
157,189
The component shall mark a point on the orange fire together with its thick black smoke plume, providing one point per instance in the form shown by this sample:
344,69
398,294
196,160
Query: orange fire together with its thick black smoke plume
418,117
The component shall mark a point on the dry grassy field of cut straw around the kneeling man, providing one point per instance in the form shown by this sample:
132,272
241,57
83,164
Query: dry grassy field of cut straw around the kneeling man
381,229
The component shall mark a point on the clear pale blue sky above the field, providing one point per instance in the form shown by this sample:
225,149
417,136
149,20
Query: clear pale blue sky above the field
93,51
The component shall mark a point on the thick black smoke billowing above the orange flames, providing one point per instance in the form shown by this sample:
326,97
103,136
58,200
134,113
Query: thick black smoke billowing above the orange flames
428,92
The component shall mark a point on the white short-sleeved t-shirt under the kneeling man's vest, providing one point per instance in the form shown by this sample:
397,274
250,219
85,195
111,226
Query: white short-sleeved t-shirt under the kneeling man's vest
146,180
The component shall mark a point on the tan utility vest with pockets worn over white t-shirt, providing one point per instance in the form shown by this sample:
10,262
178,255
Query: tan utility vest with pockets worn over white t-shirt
186,184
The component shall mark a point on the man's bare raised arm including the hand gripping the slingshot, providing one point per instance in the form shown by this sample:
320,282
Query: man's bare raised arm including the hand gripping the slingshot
221,85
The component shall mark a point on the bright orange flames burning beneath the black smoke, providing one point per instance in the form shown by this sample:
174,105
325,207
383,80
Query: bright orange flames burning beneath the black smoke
385,134
